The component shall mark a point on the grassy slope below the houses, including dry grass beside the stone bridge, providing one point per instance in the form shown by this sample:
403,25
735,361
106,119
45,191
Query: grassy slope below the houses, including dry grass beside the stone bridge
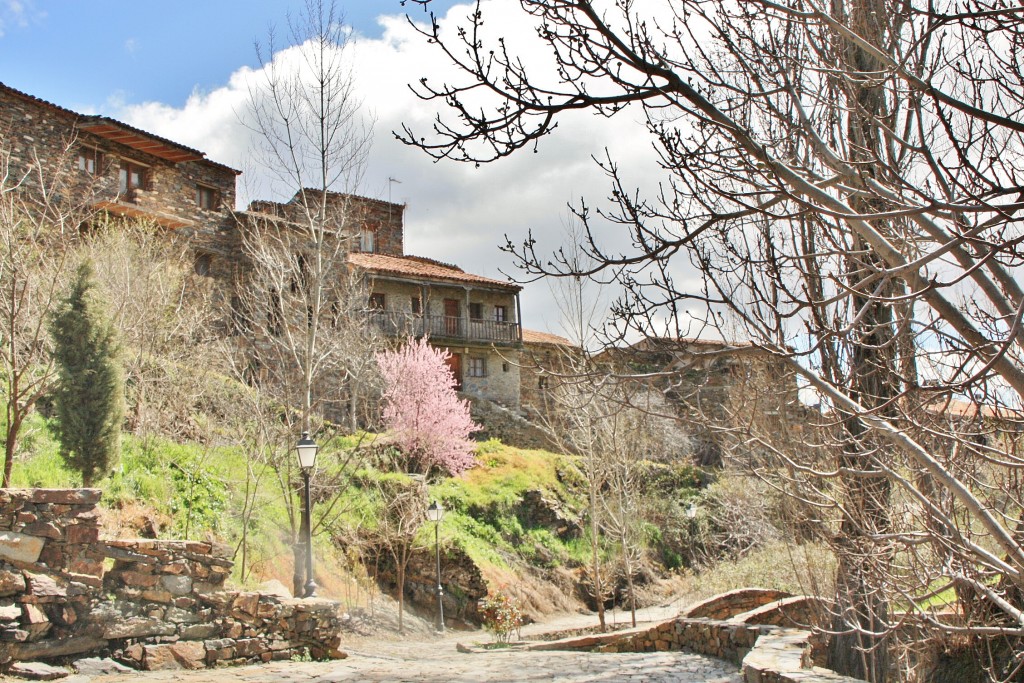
192,492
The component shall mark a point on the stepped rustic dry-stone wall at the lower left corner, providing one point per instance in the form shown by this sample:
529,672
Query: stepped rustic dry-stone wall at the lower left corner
161,605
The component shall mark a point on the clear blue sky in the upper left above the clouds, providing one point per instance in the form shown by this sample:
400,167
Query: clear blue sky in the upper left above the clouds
86,54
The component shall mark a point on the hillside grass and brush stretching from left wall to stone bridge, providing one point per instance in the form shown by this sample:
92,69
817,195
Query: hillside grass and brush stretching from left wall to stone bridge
520,516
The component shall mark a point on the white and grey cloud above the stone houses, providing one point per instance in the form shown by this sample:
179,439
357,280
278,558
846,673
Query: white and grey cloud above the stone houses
457,214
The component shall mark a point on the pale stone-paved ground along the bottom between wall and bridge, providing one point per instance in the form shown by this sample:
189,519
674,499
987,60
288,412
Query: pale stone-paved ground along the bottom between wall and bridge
435,659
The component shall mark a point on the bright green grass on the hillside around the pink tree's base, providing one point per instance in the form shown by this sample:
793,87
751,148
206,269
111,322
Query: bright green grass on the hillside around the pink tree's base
202,491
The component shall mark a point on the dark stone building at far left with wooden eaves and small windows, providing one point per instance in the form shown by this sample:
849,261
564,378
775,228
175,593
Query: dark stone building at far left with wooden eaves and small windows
96,164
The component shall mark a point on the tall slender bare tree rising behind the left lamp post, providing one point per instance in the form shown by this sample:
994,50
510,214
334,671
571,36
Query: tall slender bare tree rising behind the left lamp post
296,294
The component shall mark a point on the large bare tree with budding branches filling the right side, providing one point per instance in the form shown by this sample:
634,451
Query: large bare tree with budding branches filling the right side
845,178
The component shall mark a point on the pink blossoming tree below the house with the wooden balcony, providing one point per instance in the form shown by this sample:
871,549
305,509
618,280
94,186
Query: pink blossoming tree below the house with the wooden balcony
426,419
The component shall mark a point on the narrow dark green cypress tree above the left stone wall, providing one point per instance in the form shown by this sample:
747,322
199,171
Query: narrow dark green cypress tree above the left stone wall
90,398
